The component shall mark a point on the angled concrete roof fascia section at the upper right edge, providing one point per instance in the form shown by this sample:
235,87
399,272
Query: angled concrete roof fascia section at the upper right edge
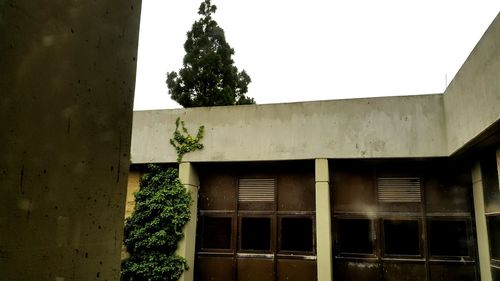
472,100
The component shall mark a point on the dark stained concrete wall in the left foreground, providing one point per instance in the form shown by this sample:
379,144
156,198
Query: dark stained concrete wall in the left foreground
67,72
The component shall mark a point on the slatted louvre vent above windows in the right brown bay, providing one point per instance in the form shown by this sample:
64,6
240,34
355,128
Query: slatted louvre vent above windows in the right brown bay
399,190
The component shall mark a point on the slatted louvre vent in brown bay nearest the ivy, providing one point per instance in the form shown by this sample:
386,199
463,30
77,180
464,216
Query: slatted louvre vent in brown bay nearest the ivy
256,190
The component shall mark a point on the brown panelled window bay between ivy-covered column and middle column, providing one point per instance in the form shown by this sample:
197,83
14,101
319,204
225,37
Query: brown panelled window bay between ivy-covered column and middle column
257,225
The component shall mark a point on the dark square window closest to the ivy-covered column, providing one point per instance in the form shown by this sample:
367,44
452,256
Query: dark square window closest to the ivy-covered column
216,233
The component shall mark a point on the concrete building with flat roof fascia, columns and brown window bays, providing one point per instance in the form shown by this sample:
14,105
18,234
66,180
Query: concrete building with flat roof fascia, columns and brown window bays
391,188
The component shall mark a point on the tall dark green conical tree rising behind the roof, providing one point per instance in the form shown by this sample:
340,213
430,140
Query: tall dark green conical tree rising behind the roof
208,76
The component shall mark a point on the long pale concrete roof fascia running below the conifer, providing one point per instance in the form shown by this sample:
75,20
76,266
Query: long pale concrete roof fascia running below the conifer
411,126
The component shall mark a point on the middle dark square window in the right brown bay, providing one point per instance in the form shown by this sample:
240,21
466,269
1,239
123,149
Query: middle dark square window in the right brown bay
401,237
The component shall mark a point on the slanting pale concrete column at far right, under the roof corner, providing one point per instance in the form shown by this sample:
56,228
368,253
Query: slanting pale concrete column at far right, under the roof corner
481,227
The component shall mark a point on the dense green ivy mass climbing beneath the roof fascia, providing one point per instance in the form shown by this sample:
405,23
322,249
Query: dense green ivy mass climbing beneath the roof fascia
156,226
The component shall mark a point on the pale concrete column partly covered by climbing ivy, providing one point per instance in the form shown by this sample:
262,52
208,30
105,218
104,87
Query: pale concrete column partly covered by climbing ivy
186,248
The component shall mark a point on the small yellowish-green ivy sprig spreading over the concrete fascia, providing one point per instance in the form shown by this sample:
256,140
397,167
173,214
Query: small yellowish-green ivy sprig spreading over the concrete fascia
183,141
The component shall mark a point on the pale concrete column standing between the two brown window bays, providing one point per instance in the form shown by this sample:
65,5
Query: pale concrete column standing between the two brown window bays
323,221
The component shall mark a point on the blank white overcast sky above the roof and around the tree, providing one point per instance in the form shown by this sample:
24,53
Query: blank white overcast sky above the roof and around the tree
319,49
